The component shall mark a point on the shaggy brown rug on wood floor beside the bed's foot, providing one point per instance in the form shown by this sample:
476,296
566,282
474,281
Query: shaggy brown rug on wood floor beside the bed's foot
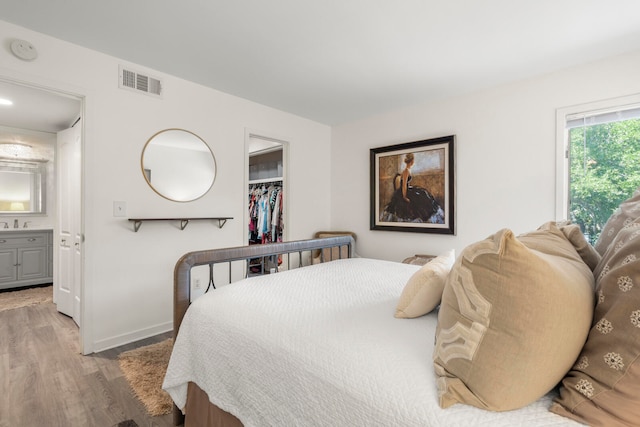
144,369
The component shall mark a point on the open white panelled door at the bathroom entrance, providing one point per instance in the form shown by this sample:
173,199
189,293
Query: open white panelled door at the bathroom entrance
69,238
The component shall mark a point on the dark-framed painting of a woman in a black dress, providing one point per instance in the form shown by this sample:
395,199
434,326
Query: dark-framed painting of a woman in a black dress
413,186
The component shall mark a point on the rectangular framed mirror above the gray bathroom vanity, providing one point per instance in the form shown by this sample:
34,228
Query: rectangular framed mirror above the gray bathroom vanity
22,188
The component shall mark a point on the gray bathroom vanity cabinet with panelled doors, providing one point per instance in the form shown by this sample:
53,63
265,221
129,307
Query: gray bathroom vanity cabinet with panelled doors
25,258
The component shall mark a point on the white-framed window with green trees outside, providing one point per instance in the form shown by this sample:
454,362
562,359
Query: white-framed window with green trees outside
599,161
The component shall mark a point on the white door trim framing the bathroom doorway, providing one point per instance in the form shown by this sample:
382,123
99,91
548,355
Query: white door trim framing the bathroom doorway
65,90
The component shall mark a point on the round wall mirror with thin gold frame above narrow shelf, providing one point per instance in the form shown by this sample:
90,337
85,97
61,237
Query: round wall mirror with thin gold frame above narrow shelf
178,165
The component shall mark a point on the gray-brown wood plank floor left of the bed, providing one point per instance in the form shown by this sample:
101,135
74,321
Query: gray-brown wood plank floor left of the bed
45,381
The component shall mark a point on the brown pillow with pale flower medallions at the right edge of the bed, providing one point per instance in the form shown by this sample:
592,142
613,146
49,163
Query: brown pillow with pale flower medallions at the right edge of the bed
603,388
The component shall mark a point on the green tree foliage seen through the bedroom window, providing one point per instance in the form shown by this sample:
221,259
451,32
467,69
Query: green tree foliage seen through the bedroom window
604,171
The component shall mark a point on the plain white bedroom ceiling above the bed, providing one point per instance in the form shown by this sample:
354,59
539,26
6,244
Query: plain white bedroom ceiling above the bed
336,61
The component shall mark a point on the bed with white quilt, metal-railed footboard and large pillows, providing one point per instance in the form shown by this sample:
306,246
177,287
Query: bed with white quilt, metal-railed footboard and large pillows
319,345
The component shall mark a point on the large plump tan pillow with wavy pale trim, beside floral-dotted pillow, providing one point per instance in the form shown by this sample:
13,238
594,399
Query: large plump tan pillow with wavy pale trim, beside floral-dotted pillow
514,316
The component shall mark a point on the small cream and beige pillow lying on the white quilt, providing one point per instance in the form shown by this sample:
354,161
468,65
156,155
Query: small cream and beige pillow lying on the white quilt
423,291
